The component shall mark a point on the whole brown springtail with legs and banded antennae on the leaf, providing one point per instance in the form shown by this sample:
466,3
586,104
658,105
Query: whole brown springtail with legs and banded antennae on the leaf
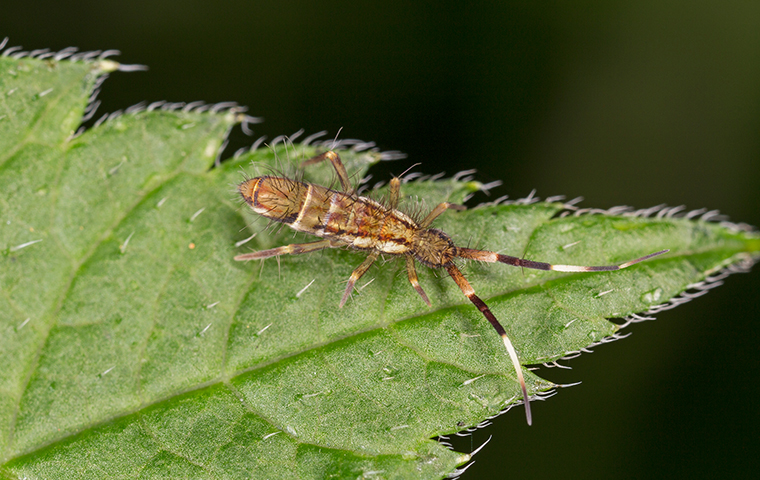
344,219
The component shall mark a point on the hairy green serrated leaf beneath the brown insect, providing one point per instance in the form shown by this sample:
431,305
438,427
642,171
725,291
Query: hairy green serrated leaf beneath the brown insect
134,346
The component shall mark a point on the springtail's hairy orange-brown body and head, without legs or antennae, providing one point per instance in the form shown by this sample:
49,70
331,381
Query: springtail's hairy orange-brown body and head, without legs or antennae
345,219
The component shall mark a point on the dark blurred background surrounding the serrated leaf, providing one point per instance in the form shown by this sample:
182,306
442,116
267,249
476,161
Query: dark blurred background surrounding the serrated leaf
635,103
